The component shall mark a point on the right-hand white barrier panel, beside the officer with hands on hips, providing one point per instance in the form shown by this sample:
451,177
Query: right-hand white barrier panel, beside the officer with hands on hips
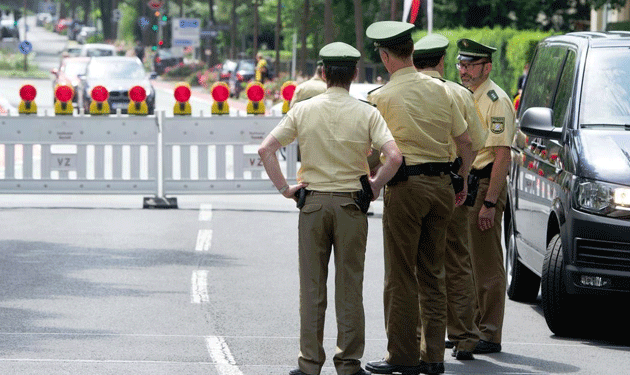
219,154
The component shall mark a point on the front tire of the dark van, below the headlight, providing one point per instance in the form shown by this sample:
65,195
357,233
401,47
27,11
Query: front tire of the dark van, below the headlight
558,305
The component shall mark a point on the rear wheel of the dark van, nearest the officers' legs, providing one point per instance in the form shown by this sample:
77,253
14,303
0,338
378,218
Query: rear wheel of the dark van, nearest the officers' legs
523,284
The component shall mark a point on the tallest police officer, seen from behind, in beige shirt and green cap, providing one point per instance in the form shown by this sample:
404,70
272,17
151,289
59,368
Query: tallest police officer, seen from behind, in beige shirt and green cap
418,203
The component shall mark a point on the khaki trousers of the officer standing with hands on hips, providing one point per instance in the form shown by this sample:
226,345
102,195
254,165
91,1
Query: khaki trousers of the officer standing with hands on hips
331,221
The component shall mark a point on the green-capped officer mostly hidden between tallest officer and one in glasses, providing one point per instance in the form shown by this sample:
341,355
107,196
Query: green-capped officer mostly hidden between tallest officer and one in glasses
428,58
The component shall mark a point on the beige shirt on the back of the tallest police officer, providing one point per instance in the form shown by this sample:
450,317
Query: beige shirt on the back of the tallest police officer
421,114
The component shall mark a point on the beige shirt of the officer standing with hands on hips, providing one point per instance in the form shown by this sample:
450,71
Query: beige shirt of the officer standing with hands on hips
335,133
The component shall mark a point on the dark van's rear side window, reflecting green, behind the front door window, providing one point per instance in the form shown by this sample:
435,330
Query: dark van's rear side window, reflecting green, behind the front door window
542,78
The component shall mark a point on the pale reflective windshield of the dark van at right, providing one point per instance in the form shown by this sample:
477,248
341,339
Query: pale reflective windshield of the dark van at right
606,89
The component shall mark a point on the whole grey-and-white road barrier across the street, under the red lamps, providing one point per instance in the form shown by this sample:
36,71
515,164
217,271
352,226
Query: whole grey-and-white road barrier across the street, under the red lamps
122,154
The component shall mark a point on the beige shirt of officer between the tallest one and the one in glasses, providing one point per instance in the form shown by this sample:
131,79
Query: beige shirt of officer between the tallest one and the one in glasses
466,104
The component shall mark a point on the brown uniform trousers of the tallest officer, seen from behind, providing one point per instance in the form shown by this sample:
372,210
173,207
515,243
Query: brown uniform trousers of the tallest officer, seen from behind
415,217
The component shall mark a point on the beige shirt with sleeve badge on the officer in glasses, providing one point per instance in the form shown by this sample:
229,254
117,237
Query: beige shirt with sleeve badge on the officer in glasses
497,115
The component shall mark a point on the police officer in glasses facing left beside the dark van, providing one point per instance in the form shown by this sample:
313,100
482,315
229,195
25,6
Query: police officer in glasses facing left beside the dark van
491,166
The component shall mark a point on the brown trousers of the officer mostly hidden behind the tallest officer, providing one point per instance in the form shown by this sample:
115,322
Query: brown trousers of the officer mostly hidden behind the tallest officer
461,297
